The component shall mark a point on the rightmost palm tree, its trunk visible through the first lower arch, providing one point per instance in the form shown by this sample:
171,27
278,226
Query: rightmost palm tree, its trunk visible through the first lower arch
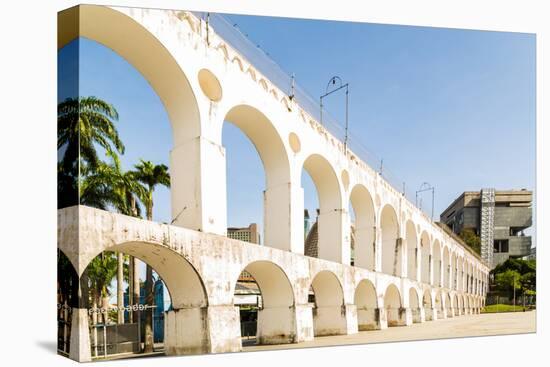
150,175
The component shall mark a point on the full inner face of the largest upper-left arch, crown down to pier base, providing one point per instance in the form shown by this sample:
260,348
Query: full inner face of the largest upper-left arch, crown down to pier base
147,54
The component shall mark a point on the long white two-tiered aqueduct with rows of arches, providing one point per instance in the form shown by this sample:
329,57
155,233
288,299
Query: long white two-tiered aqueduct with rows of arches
406,270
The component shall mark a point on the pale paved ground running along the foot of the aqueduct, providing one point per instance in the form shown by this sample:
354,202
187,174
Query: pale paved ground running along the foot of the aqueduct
463,326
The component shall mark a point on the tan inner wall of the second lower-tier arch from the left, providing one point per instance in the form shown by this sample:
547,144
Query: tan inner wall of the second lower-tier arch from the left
276,317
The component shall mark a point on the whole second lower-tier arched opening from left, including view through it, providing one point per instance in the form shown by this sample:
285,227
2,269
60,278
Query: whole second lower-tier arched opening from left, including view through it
265,299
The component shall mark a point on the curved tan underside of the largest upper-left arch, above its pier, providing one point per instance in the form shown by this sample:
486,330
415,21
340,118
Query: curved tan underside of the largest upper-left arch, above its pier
145,53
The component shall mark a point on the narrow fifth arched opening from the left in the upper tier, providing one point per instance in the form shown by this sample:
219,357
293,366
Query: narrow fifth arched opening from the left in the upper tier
391,243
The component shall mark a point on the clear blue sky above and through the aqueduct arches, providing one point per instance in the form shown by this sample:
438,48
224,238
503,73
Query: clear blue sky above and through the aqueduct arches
454,108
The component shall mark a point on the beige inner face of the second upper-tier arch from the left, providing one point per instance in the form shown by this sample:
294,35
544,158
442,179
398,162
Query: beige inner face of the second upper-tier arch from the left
260,130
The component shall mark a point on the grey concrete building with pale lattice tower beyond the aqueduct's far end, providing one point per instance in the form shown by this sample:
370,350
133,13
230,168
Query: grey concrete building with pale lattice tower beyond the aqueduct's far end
499,218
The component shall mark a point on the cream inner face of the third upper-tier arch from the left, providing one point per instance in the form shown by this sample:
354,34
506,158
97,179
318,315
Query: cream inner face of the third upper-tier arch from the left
329,240
